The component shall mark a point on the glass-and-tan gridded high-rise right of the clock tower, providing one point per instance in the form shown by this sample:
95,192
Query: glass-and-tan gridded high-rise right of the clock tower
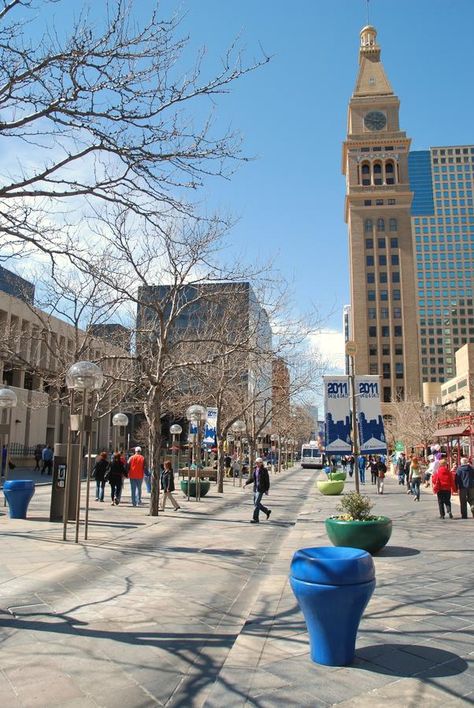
443,228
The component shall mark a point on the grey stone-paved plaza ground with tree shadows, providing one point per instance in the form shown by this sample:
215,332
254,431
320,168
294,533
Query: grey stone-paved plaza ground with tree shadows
194,608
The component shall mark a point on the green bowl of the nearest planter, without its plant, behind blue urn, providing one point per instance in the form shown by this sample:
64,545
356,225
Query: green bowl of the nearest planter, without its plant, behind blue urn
369,536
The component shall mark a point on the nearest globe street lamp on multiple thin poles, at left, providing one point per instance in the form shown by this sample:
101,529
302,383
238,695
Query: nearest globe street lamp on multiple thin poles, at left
82,376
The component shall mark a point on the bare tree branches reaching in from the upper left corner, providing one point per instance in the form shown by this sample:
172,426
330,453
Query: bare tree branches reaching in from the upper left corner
99,115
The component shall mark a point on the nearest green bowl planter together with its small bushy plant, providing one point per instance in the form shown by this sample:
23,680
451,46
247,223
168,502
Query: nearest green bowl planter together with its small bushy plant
356,527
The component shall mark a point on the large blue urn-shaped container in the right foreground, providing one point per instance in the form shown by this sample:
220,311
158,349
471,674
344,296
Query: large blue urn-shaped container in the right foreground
333,587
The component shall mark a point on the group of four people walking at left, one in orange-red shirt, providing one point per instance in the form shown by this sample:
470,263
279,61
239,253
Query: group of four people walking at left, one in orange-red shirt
118,469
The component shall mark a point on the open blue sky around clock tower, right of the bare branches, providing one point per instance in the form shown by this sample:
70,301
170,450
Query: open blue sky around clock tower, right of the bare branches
288,200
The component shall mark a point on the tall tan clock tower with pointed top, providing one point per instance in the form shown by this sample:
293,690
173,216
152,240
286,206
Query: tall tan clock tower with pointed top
378,214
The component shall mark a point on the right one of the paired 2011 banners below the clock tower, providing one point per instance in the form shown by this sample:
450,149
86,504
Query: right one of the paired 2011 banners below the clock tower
369,415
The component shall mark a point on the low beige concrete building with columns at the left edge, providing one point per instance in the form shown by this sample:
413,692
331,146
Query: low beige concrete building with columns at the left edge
34,349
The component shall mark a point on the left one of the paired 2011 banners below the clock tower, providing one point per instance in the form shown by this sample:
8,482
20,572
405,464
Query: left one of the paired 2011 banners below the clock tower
337,415
